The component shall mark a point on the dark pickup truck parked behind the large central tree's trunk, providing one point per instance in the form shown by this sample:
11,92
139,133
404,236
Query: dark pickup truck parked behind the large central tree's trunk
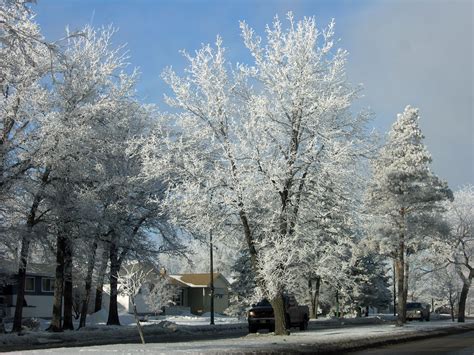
261,316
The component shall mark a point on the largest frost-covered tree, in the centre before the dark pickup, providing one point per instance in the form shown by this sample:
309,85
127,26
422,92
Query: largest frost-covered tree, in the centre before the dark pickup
252,142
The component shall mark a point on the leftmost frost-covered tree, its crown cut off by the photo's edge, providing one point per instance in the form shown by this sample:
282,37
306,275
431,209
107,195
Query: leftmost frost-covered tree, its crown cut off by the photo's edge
25,60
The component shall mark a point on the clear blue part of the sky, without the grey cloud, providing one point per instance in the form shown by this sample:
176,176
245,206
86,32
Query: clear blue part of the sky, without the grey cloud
156,30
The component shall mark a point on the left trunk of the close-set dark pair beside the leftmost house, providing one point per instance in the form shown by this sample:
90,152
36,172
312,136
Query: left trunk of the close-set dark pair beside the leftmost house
55,325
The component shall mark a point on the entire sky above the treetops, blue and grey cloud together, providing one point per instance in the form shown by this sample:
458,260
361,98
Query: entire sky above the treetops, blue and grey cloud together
404,52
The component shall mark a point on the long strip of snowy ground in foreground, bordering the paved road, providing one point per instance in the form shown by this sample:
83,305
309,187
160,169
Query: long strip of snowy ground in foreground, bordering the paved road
327,339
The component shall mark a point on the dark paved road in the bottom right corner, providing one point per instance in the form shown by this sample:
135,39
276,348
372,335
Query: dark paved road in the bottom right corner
452,344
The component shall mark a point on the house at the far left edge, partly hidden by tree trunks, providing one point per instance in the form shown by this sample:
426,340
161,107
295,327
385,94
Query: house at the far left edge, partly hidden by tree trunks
39,289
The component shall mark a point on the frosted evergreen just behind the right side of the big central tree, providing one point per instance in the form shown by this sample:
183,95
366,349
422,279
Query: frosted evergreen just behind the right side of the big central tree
331,260
